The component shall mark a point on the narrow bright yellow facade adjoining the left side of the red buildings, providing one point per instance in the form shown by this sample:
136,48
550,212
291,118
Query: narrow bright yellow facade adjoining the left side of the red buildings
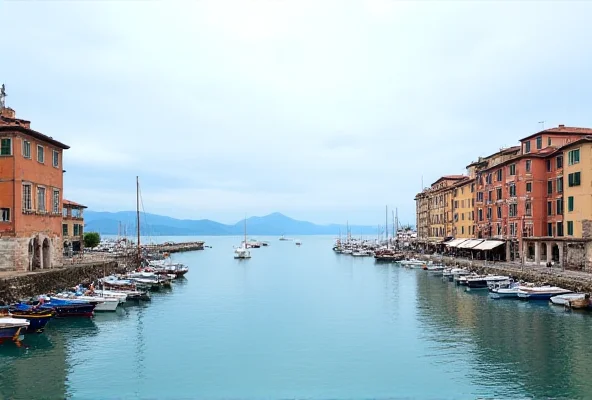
463,202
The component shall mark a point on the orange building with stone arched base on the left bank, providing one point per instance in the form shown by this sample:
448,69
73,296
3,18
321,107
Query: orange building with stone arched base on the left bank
31,186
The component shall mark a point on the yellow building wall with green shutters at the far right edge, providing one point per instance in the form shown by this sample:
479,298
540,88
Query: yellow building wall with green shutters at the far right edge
577,174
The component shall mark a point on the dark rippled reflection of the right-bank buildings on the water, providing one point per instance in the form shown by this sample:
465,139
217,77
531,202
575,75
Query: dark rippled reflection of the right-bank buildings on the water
520,347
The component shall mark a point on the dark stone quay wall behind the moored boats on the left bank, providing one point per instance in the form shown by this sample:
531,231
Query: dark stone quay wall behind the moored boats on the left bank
26,285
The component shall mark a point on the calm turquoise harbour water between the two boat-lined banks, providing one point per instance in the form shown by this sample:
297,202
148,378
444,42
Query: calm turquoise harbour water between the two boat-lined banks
303,322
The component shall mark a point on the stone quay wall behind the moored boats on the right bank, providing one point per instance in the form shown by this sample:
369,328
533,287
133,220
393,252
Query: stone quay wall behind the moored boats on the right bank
577,281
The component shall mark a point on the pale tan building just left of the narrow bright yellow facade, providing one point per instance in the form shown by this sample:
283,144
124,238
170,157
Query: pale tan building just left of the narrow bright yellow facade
440,207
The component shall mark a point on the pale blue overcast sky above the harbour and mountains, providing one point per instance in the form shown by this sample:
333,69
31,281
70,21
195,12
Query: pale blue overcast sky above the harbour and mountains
325,111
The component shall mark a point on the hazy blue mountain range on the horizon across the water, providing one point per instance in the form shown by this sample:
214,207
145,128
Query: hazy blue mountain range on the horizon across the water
159,225
